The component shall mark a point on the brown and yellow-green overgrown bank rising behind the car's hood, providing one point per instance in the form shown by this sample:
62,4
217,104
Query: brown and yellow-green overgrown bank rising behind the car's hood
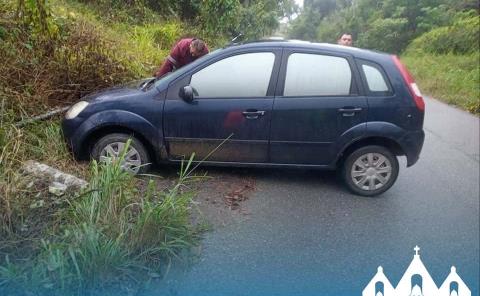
90,49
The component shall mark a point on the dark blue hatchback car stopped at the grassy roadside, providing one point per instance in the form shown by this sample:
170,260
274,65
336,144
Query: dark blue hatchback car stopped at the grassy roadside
278,104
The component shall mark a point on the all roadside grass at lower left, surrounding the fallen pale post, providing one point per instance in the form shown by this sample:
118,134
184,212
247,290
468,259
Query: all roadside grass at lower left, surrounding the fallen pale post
113,238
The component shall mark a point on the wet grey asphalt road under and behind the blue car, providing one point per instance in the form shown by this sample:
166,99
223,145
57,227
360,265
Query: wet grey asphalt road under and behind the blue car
306,235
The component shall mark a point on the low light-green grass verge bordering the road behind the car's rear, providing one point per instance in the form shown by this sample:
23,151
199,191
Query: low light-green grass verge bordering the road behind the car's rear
454,79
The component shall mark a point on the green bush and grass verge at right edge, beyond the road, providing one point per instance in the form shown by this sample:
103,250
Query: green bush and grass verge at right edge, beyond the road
445,62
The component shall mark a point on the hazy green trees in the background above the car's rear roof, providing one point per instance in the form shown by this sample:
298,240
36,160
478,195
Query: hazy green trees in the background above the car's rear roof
386,25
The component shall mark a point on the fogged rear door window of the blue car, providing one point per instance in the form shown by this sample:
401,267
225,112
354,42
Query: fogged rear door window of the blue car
317,75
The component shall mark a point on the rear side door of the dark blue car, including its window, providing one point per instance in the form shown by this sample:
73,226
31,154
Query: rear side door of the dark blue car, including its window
317,102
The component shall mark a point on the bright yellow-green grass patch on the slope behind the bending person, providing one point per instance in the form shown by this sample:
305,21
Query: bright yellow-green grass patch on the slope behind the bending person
143,40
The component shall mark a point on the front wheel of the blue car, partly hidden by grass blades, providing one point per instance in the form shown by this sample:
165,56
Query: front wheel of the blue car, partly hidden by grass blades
137,160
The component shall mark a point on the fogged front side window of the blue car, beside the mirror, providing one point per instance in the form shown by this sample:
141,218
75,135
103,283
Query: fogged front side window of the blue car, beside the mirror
243,75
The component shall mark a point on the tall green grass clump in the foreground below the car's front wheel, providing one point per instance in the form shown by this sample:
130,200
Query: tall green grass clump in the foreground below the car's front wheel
111,239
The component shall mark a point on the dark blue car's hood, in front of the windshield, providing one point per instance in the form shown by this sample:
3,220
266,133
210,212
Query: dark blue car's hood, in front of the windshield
131,89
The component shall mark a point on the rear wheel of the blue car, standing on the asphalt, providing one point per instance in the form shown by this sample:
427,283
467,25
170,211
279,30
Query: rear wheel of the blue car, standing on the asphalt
370,170
